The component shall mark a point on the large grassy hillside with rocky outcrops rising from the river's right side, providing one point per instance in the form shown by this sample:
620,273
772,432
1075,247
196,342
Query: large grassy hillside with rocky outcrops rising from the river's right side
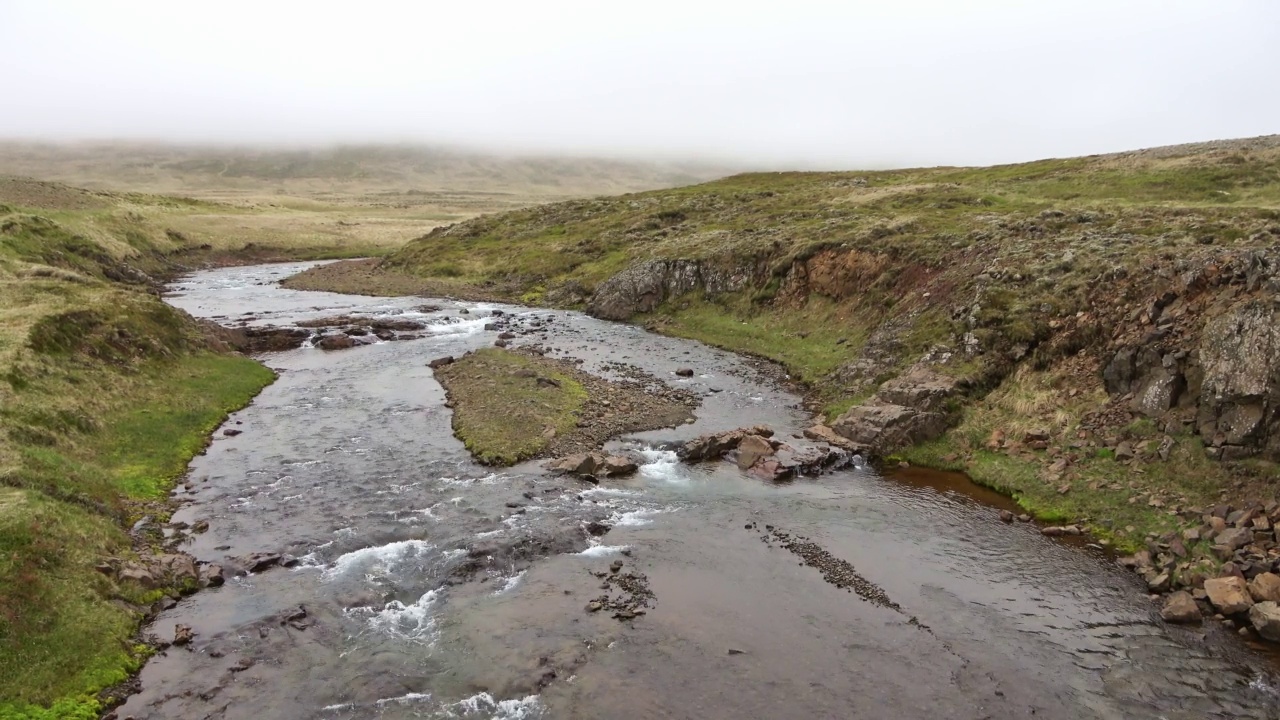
1095,336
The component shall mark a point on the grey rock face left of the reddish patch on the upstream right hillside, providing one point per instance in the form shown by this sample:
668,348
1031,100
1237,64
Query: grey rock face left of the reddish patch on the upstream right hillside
644,286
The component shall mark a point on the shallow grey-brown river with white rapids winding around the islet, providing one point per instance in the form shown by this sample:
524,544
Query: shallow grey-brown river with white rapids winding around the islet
433,587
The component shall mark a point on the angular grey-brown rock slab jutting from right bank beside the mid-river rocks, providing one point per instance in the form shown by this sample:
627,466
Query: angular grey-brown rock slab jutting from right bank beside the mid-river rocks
906,411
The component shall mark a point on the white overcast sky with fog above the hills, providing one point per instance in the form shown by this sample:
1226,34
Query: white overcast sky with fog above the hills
792,83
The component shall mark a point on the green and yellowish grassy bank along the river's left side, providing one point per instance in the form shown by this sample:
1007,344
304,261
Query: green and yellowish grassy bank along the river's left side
106,395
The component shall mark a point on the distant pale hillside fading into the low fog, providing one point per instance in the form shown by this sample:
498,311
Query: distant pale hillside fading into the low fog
337,172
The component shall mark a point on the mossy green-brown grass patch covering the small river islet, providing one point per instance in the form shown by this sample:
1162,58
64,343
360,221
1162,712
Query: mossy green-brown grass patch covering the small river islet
504,409
